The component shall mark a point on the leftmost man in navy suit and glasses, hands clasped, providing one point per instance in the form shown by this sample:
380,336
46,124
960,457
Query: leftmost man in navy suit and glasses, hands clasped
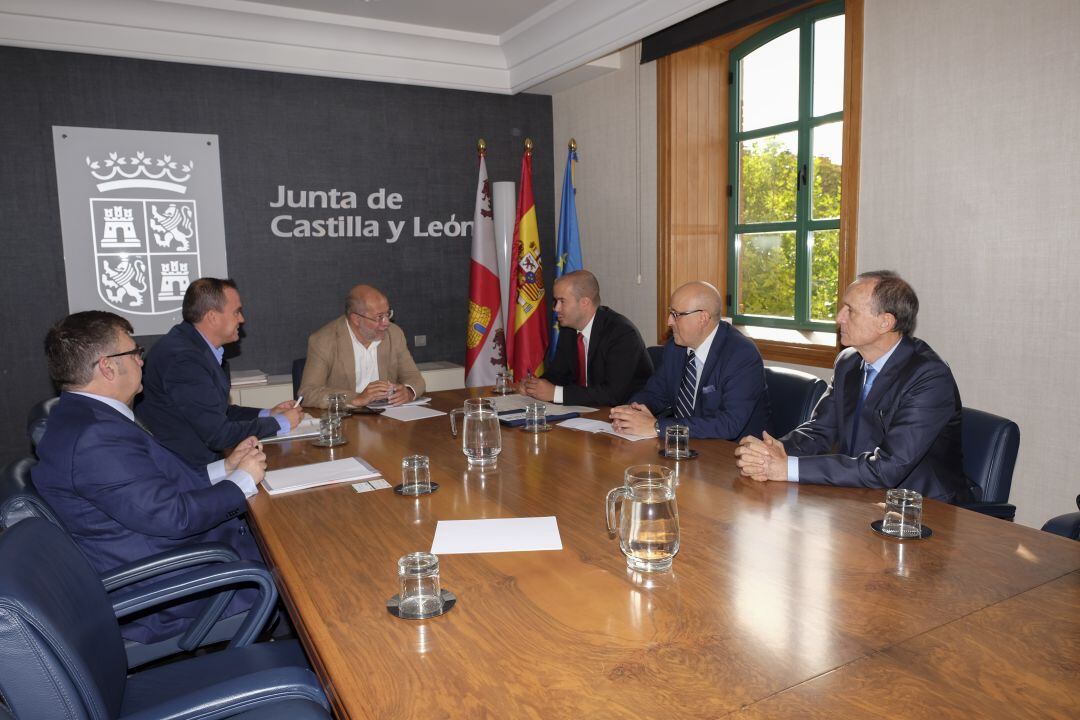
120,495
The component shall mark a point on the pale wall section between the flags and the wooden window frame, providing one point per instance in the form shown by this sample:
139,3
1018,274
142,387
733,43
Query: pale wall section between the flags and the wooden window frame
614,119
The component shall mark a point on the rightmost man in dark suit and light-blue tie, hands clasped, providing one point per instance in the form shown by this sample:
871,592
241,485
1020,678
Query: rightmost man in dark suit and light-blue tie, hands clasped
892,418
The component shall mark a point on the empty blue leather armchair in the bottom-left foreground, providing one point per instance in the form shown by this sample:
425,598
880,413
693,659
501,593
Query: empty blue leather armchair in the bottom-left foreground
61,655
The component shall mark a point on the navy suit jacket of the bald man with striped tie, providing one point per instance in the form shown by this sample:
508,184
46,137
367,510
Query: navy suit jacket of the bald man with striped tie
732,400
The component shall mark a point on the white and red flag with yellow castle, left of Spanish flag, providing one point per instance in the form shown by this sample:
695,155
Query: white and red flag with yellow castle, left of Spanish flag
484,338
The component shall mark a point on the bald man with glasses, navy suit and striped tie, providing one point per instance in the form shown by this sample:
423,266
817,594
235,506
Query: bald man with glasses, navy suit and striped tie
712,378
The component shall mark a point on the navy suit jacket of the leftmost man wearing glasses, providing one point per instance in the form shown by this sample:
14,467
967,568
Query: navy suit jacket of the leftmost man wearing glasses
123,497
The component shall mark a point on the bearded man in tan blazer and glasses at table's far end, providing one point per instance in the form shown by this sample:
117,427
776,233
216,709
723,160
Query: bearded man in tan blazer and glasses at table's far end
363,356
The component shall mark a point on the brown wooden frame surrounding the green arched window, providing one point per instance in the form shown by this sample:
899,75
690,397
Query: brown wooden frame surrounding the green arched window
693,128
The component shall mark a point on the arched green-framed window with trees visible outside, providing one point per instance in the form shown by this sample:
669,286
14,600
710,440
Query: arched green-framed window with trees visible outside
785,155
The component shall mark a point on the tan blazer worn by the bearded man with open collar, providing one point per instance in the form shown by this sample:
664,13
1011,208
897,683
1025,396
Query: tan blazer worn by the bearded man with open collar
332,365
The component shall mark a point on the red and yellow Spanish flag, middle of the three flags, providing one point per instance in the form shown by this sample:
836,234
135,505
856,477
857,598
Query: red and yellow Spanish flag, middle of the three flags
529,343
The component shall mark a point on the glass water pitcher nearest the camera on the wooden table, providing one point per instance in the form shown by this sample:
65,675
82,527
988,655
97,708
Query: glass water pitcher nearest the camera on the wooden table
649,518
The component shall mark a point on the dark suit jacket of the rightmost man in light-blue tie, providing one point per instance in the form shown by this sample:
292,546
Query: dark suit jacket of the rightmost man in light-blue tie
909,428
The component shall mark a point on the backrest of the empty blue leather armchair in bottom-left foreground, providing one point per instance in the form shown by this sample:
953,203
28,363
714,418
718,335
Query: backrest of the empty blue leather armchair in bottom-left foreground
61,653
